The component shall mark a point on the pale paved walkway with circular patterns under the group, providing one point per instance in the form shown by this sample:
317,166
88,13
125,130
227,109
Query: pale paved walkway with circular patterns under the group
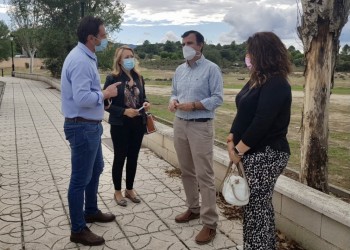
34,176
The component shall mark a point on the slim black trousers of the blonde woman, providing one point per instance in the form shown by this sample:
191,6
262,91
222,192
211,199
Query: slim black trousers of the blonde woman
127,140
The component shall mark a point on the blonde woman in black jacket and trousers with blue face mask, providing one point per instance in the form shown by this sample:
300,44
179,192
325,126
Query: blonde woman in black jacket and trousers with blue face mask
128,124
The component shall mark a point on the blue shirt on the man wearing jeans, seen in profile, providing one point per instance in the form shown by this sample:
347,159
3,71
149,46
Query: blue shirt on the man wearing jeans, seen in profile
81,85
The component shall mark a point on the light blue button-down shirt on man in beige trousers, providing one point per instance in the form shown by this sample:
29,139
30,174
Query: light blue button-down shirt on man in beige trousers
200,83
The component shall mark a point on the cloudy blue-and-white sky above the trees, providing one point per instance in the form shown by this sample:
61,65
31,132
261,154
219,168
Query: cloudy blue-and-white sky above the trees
220,21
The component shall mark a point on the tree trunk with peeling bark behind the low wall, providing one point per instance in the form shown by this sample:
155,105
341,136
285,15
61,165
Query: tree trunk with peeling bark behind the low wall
321,25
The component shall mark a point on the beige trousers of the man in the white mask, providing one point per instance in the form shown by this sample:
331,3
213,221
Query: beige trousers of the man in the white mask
193,143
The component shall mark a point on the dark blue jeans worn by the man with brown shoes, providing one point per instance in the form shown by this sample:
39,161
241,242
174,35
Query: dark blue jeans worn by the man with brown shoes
87,165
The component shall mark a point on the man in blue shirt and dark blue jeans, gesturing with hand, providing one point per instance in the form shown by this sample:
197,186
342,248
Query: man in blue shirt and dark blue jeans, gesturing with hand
83,108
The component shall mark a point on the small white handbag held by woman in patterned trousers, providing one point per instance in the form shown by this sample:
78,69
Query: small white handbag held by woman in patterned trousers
235,188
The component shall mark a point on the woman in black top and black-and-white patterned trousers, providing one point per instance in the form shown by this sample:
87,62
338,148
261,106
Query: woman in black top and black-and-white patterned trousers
258,134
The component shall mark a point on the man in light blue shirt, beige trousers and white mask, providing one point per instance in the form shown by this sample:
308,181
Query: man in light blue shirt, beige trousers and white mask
197,91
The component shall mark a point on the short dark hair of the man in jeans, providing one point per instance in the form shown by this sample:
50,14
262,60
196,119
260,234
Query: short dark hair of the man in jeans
89,25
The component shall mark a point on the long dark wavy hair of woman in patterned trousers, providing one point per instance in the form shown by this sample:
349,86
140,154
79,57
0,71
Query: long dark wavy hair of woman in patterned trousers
268,56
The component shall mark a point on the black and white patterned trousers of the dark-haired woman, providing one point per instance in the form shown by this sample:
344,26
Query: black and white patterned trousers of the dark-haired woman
262,170
